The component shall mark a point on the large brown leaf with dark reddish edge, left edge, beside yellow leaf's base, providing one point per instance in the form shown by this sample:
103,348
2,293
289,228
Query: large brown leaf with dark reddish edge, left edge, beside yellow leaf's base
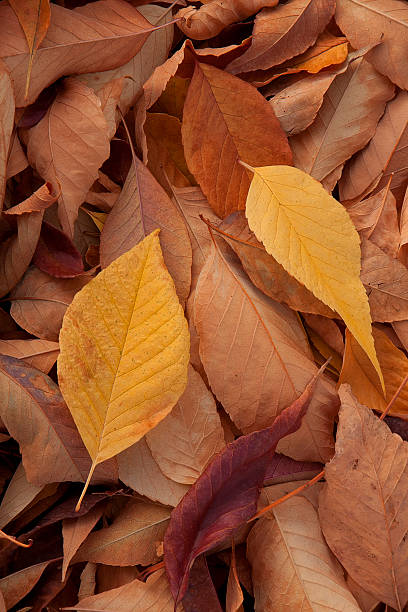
35,414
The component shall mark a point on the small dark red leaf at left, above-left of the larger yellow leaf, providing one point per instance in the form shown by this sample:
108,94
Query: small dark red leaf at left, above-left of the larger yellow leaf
56,255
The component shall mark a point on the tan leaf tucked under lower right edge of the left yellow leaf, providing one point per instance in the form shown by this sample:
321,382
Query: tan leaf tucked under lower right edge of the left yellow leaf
195,430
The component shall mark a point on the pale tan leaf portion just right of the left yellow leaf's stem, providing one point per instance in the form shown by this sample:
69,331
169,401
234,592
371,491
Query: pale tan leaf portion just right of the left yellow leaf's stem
138,470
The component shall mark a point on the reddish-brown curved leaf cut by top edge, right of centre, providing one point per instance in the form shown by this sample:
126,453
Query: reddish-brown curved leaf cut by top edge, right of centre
284,32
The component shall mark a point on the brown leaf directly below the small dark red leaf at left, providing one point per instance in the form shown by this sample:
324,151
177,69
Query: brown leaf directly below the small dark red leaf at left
43,302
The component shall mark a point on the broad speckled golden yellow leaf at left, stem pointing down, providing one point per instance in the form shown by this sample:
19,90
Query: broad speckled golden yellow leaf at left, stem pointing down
124,351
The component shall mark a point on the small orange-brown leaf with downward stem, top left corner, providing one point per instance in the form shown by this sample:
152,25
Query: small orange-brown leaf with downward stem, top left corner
34,17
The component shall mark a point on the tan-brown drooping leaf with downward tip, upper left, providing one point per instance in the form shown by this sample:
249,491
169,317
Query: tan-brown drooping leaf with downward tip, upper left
68,146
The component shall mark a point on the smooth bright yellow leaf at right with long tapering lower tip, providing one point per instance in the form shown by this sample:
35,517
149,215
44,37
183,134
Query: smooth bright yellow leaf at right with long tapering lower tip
312,236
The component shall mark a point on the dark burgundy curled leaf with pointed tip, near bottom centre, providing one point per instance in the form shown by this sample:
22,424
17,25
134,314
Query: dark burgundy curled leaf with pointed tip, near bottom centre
225,495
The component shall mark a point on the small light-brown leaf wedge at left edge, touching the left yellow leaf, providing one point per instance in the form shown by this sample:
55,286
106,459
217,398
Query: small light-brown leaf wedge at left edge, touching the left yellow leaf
40,354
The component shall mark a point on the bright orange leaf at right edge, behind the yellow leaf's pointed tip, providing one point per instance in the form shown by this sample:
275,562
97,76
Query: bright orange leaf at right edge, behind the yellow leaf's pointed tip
359,373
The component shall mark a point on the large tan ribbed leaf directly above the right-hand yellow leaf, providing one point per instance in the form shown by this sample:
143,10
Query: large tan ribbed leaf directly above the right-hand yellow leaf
346,121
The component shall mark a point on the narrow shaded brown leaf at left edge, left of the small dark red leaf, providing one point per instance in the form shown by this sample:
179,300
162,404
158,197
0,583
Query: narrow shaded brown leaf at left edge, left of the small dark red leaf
17,251
